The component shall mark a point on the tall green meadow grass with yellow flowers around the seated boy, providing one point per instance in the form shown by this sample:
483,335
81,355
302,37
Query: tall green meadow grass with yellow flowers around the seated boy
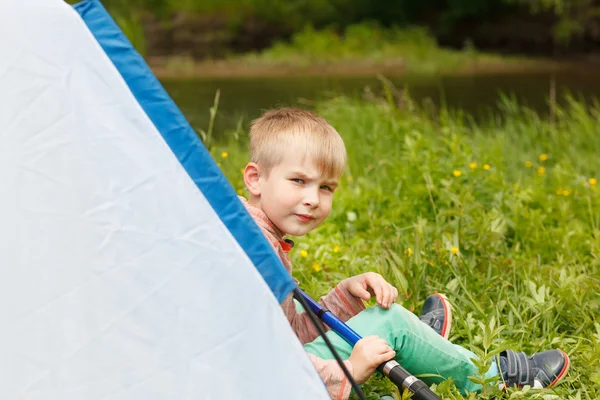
527,272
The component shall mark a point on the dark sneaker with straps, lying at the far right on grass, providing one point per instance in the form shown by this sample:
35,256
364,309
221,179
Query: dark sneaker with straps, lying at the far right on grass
539,371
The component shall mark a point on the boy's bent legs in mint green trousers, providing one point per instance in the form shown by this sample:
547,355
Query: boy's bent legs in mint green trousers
419,349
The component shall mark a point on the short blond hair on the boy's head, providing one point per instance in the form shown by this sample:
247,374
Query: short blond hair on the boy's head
292,128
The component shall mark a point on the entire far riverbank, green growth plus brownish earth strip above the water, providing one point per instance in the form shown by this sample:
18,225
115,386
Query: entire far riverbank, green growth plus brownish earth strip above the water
361,50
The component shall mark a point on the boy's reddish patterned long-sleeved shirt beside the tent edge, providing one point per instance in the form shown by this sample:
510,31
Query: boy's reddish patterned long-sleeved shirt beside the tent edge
339,301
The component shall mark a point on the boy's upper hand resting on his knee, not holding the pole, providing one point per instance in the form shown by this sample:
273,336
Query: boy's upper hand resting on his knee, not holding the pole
368,284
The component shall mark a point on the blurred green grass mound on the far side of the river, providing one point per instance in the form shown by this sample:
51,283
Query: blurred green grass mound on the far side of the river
413,49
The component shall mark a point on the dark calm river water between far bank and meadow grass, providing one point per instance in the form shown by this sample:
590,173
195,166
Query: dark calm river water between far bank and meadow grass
242,99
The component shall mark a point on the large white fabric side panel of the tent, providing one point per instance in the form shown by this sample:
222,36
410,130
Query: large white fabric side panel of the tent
119,278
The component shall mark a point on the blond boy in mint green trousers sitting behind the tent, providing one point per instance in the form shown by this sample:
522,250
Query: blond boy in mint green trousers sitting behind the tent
296,160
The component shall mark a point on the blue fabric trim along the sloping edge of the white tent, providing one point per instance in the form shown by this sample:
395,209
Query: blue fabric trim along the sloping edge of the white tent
185,144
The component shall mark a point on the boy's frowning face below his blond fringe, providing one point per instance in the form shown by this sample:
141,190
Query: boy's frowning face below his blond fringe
294,195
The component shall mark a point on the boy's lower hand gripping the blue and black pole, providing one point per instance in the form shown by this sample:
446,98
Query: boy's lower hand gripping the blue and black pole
367,355
